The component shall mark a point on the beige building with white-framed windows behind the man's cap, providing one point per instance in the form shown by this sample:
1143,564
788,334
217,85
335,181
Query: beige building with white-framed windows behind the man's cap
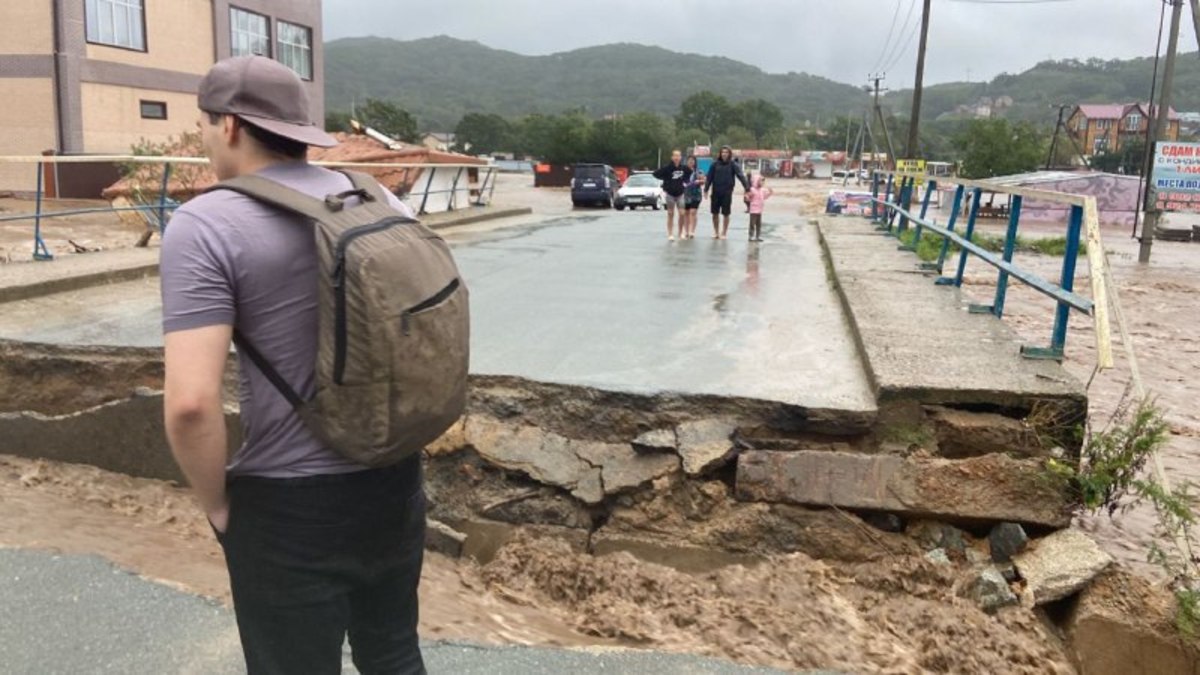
98,76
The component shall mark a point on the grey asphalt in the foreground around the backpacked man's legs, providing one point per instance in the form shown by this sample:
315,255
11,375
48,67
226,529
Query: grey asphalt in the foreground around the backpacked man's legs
80,614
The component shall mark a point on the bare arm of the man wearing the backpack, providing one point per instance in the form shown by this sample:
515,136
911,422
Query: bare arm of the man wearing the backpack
195,419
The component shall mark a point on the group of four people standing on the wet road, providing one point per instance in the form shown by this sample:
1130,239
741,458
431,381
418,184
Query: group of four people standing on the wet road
686,188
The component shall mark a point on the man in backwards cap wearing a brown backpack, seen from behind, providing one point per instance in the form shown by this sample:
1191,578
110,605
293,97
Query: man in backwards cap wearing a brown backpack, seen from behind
321,512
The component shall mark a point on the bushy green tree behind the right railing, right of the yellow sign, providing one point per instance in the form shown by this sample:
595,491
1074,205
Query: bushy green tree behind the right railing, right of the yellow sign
997,147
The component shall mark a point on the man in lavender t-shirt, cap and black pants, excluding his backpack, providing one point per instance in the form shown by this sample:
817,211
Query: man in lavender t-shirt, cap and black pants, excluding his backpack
317,546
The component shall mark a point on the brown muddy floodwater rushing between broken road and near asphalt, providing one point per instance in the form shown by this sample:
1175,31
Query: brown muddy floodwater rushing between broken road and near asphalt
895,616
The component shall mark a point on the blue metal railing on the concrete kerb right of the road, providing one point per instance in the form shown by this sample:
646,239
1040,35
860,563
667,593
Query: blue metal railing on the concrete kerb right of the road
892,213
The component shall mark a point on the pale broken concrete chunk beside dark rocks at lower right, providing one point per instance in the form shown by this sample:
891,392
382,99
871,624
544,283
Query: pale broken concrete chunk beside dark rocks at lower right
1060,565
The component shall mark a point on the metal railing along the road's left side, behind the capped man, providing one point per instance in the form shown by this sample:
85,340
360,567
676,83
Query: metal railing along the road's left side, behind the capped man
157,211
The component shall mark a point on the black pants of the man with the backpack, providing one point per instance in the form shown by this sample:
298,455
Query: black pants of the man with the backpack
313,560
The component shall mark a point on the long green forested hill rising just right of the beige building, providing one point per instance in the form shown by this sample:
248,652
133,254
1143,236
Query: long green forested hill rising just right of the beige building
439,80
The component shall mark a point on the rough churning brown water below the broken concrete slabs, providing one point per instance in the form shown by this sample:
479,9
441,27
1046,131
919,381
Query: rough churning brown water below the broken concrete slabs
793,612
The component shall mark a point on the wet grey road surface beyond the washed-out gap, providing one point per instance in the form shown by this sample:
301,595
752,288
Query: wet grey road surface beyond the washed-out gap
597,298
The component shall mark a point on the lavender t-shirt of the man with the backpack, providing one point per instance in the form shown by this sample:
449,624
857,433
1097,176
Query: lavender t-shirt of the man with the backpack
229,260
